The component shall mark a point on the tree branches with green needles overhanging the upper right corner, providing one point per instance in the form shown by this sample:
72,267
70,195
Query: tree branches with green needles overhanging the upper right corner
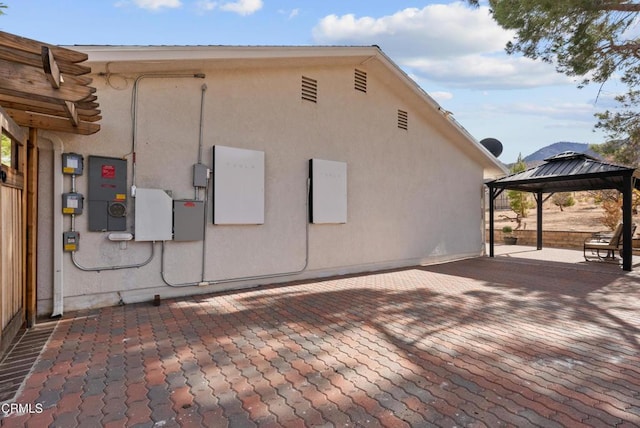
590,39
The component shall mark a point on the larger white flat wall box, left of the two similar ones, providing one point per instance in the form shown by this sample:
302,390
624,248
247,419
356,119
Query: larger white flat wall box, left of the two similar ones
238,186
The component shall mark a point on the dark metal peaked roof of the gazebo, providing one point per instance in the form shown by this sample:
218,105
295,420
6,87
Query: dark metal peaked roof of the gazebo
568,172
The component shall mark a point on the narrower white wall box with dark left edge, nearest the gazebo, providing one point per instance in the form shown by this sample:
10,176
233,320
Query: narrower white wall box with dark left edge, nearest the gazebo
328,198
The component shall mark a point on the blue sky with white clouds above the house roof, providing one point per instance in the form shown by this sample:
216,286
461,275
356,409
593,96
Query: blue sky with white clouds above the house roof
453,52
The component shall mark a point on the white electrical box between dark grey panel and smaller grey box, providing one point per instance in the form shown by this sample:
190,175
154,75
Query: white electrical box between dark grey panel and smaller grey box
154,215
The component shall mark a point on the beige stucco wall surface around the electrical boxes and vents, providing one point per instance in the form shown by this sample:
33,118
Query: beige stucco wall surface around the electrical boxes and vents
413,197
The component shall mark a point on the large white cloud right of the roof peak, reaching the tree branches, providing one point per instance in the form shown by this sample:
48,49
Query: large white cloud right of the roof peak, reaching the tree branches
452,44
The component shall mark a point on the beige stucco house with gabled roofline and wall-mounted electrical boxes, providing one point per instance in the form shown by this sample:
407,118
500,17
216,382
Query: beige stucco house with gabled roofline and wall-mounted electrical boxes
228,167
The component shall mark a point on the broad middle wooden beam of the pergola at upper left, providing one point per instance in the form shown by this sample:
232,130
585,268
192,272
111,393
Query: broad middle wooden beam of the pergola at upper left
22,80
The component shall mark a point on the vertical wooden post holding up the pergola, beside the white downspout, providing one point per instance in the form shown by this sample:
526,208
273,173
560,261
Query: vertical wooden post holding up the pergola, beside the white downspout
31,244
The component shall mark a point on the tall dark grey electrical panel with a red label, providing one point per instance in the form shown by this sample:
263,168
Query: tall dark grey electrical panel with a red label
107,194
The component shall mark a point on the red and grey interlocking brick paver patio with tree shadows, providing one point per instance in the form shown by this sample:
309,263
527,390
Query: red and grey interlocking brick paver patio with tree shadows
481,342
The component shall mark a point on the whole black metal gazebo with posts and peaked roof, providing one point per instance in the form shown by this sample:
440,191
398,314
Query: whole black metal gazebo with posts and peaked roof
570,172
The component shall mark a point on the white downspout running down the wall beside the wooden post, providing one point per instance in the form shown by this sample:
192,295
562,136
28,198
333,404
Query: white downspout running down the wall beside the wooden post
58,220
